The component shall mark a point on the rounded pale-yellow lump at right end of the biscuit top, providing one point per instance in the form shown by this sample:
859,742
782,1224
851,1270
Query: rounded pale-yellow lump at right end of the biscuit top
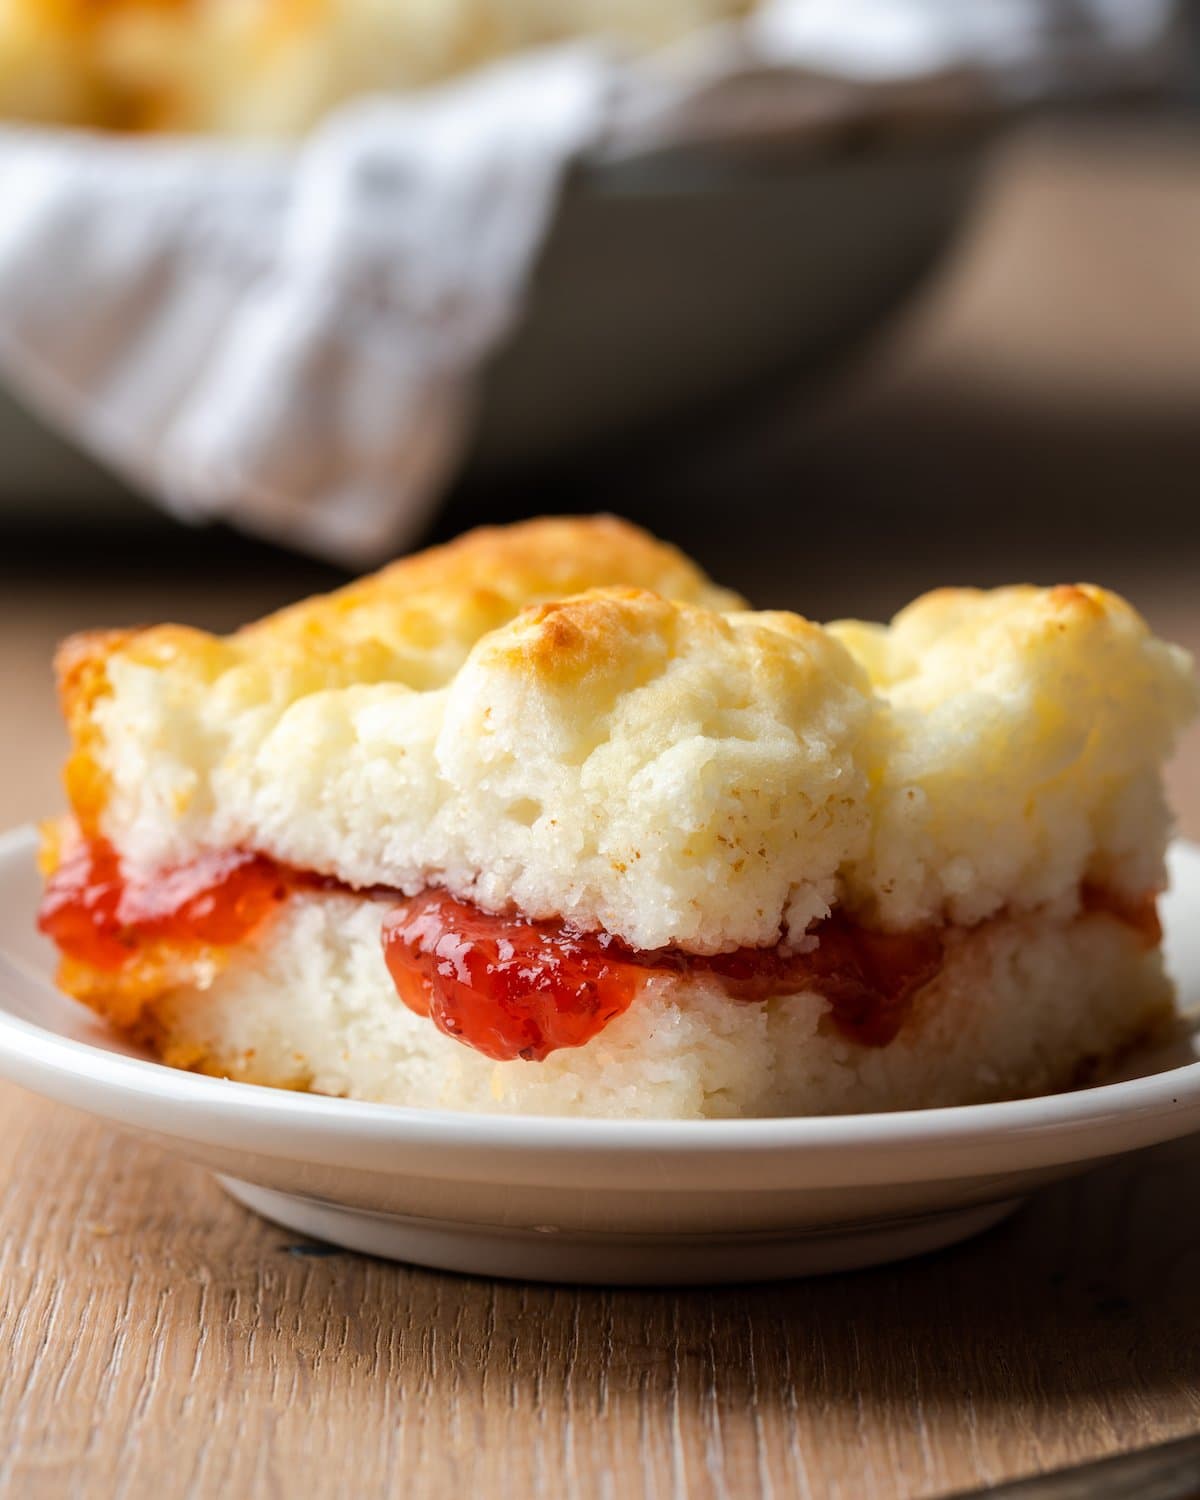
1022,733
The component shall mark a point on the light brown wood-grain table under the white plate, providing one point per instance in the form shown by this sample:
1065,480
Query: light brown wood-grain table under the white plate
163,1342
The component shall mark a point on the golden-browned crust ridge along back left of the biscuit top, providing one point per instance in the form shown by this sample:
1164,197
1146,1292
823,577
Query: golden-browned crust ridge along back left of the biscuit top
410,625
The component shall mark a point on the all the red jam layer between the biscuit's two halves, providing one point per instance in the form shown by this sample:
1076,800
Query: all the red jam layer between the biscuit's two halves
508,986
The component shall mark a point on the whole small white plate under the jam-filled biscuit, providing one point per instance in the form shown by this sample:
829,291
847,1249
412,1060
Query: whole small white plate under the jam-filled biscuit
596,1201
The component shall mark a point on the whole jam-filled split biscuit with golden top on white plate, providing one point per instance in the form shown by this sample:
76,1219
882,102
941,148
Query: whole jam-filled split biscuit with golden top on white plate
851,866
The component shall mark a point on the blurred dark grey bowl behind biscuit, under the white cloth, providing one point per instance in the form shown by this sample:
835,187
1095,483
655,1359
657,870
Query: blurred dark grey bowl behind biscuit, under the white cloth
671,283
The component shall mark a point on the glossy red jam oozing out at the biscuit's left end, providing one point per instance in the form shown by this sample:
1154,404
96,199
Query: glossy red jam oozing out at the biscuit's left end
101,916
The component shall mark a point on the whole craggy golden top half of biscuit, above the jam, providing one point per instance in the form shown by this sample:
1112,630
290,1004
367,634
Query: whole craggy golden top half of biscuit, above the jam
568,719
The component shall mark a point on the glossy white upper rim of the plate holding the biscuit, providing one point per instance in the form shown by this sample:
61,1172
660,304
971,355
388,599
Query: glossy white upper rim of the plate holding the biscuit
31,1049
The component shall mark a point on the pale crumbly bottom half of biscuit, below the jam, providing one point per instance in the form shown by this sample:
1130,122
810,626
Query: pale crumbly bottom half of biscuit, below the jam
1019,1006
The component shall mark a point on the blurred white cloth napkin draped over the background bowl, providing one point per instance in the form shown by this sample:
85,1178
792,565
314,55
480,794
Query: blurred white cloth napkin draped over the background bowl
289,338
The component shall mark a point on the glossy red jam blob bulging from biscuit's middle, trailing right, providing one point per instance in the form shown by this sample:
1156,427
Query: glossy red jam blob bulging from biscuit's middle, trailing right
512,988
